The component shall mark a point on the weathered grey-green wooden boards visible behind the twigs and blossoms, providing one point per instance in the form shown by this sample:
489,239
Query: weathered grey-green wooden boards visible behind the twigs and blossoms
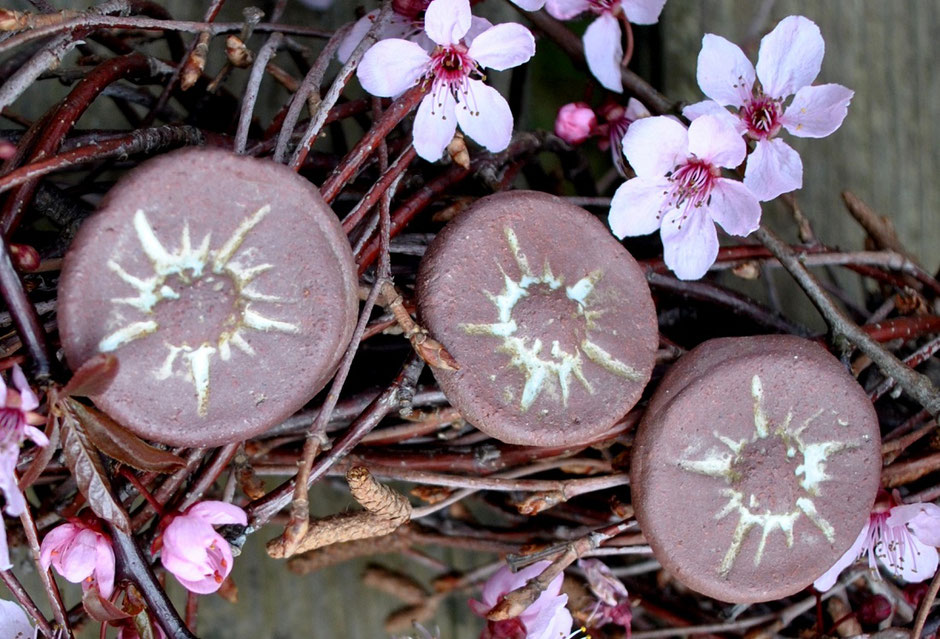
886,152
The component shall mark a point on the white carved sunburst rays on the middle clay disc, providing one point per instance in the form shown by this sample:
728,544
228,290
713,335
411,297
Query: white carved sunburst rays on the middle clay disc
528,353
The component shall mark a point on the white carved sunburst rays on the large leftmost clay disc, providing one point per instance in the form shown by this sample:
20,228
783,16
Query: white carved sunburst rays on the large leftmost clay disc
190,264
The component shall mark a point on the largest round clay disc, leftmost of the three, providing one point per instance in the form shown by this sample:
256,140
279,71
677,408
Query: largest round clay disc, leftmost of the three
225,287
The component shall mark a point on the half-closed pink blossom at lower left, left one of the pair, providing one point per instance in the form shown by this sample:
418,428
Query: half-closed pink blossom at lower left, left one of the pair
81,554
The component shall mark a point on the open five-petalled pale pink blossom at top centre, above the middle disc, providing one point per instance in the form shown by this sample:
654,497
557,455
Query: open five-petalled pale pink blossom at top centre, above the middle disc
453,72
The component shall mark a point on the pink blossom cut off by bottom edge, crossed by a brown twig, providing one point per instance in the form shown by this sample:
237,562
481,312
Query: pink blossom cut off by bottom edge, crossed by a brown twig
546,618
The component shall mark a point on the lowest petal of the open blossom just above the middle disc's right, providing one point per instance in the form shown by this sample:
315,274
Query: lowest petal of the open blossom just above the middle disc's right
690,245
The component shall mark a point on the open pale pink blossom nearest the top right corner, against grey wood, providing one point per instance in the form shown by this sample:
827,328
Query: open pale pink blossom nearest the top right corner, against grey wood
789,60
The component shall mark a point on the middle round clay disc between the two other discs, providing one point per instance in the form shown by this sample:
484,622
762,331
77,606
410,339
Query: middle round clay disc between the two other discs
548,316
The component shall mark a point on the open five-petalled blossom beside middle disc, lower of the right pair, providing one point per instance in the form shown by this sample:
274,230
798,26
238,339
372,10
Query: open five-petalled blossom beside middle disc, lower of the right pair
679,190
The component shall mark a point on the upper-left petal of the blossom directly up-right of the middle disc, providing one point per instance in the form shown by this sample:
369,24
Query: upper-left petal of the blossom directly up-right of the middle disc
654,146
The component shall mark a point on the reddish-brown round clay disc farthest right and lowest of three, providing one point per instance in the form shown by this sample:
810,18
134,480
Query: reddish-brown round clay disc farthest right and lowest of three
755,467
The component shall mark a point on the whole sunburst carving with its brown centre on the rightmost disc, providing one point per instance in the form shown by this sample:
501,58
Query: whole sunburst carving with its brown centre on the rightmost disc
776,449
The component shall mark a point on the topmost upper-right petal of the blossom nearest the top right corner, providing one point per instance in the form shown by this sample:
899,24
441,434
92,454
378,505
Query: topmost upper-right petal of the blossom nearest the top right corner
790,56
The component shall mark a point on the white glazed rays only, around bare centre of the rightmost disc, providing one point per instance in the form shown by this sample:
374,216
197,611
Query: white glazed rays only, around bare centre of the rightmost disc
810,474
